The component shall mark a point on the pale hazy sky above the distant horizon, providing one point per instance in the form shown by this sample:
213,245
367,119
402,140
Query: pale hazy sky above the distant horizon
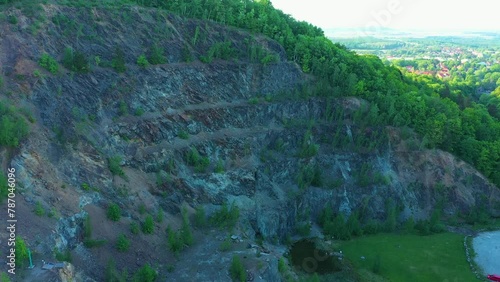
401,14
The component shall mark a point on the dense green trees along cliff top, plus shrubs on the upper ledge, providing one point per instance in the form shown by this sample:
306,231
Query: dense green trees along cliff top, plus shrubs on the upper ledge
424,104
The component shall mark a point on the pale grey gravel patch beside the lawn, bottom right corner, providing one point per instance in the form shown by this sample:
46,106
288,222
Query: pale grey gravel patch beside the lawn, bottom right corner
487,248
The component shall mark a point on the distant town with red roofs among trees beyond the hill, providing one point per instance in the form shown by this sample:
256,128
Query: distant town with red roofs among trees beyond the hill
462,59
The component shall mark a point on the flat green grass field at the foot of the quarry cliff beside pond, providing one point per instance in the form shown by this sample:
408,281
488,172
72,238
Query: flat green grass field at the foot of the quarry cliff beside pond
439,257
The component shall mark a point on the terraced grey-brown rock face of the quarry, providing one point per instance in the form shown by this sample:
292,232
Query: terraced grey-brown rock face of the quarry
247,118
